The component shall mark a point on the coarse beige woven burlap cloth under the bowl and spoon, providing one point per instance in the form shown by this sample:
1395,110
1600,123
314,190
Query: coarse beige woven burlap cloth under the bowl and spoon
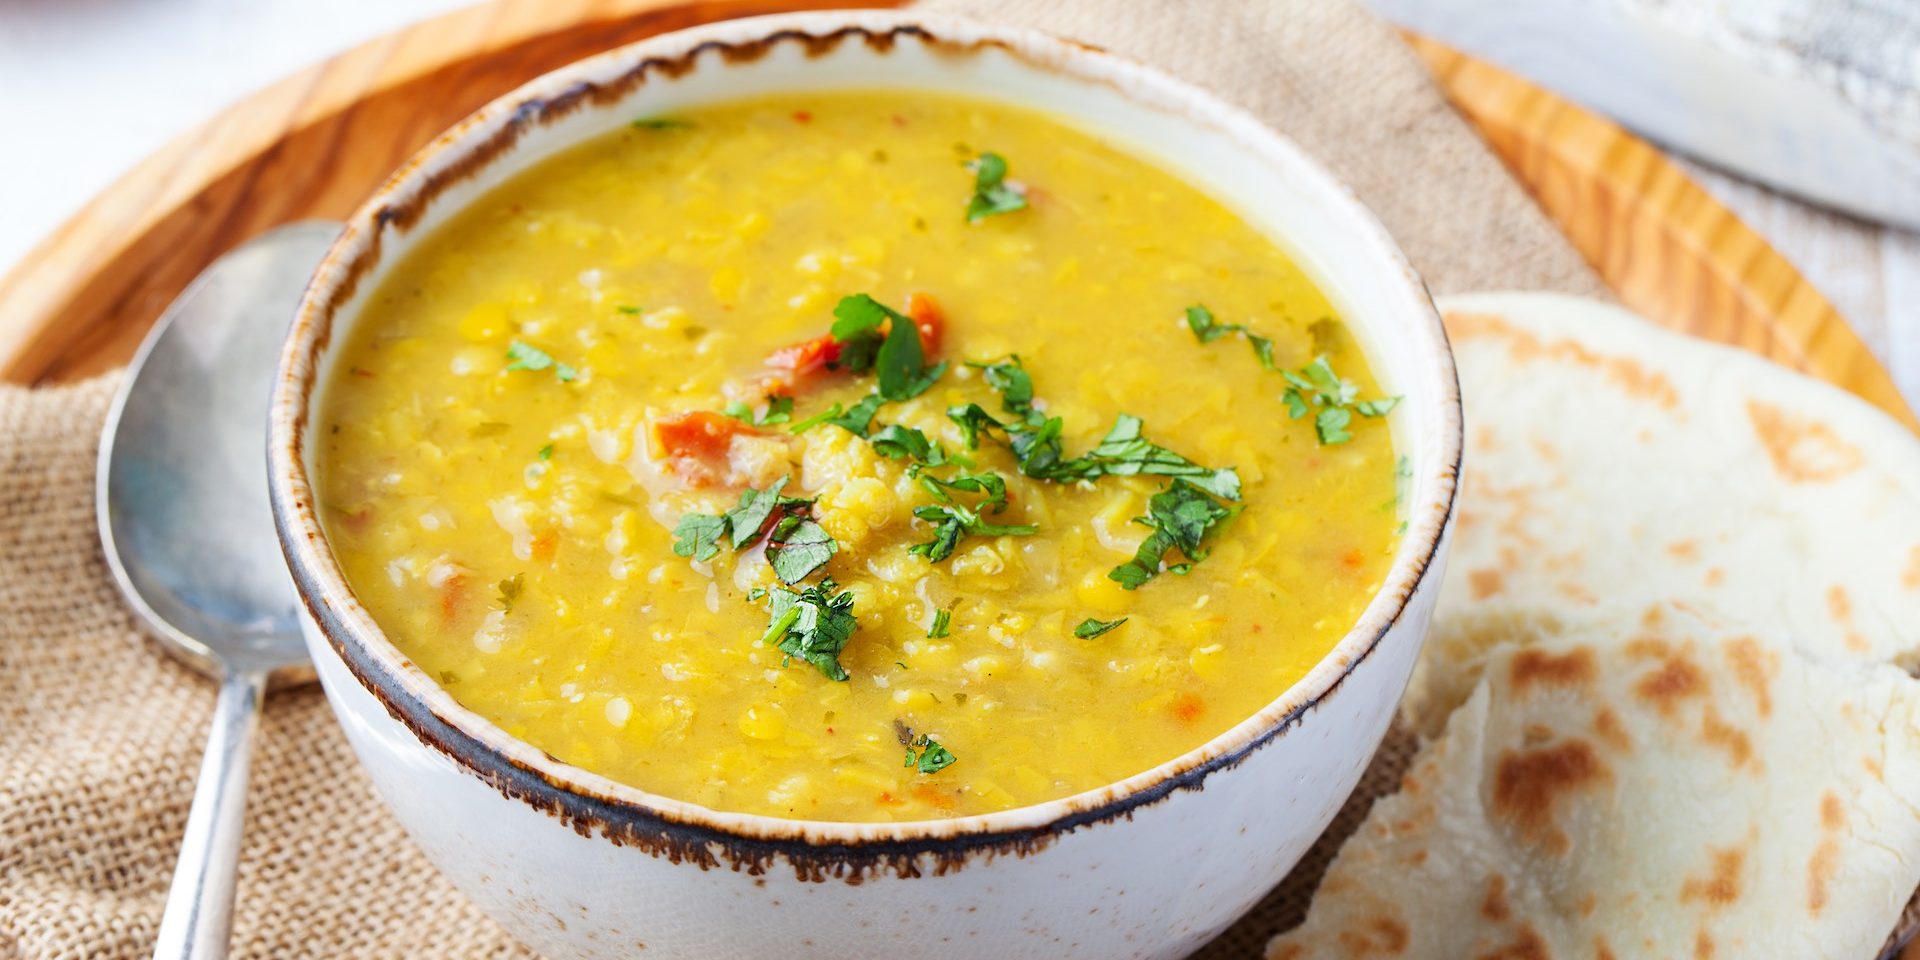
101,734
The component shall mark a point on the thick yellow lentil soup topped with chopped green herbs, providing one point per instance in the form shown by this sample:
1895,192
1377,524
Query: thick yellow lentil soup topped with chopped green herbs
857,458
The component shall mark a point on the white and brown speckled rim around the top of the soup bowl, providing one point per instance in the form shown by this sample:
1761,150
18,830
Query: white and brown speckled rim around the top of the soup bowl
625,815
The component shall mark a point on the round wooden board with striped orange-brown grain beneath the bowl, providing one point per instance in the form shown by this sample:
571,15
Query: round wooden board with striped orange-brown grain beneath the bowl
316,143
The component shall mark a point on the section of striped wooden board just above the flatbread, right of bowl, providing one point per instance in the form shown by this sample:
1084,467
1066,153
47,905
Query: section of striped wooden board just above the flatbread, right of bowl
1658,239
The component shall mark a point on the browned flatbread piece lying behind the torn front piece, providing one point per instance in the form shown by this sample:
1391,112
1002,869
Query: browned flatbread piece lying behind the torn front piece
1618,464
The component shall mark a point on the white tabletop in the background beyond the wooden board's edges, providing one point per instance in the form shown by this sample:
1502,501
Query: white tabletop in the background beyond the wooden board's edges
89,87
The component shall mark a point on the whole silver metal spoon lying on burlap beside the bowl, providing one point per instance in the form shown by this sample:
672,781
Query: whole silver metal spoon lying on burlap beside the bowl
185,523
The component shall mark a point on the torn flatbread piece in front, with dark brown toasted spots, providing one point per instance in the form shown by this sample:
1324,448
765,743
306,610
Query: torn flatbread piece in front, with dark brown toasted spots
1635,788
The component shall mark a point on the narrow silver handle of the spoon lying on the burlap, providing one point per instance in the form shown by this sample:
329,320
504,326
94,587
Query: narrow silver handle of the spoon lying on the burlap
201,901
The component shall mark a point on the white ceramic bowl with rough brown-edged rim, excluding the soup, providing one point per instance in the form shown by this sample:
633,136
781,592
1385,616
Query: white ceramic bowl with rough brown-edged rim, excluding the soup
577,865
